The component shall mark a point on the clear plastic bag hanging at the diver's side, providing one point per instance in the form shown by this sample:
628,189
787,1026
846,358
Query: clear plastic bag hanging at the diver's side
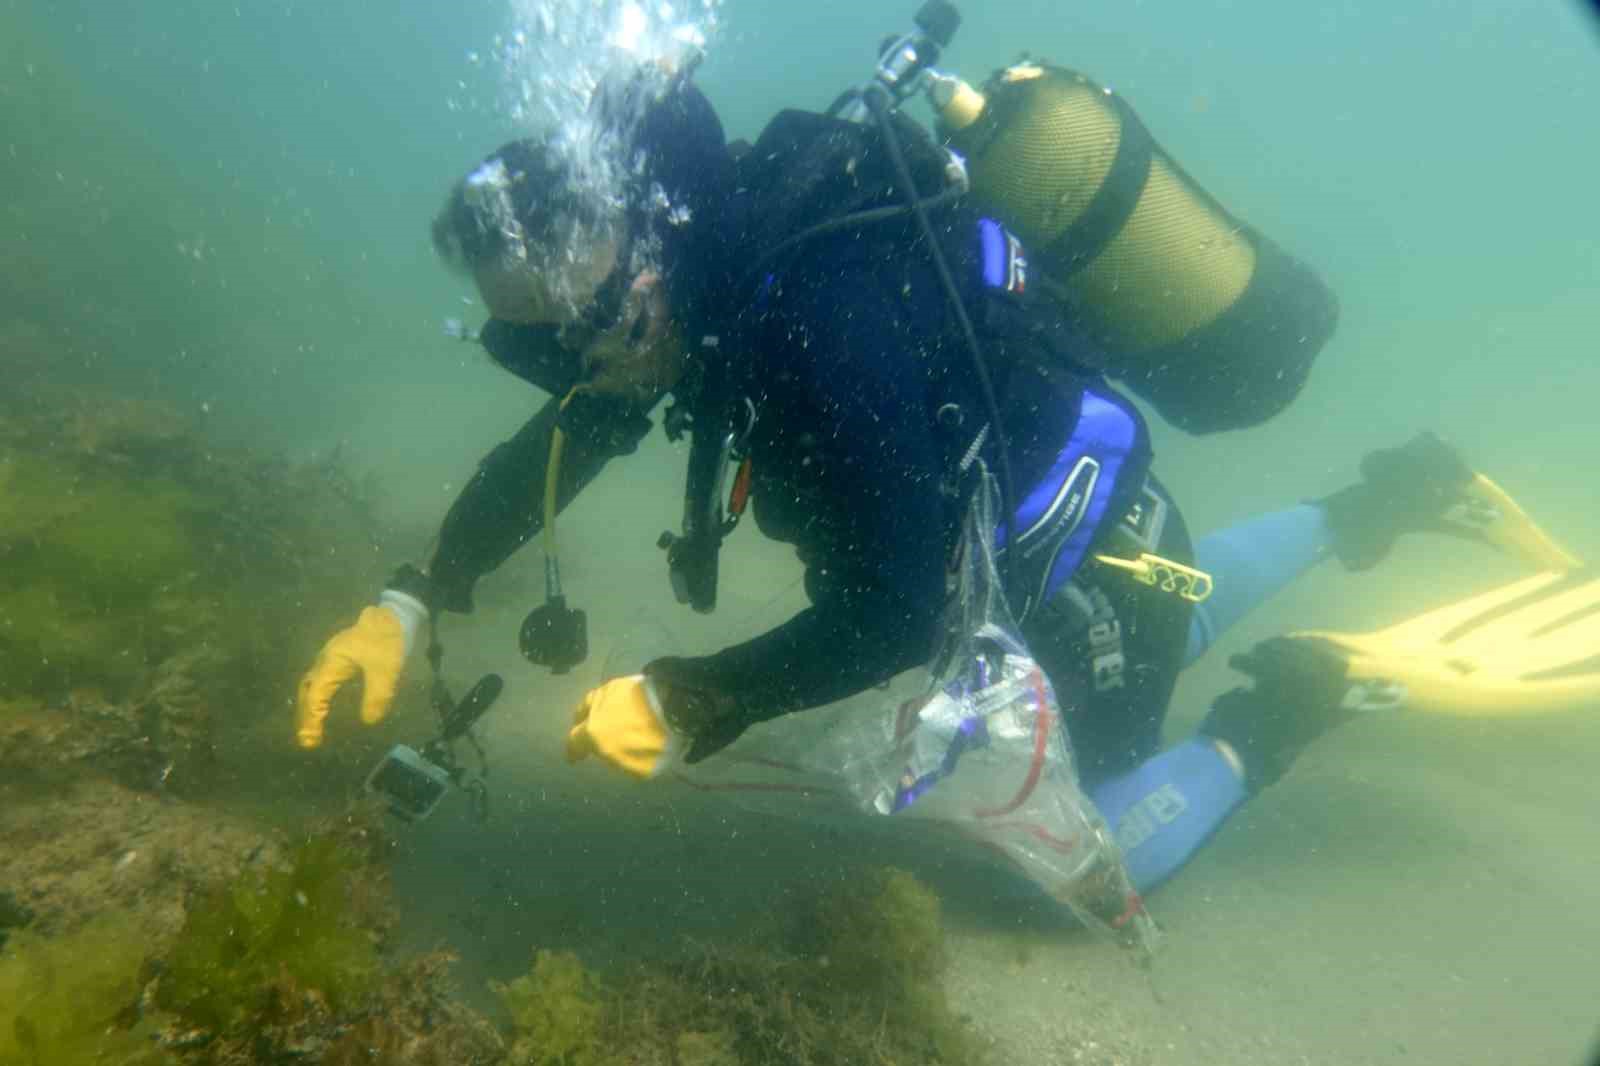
975,745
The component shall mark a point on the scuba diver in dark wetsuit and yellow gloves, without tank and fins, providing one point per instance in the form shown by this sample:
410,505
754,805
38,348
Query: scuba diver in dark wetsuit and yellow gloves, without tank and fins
836,318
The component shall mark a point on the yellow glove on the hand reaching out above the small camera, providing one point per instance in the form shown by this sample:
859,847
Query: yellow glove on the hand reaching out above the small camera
372,651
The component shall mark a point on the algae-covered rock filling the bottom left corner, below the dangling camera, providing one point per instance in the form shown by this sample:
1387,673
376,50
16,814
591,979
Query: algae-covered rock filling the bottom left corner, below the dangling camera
210,942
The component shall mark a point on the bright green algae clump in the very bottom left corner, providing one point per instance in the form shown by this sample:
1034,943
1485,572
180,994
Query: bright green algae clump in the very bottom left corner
71,1001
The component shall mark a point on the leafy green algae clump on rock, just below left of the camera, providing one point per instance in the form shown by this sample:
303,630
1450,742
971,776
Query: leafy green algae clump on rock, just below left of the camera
247,945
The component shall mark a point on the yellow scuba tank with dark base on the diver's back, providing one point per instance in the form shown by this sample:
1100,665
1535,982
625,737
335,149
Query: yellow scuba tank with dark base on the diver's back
1196,311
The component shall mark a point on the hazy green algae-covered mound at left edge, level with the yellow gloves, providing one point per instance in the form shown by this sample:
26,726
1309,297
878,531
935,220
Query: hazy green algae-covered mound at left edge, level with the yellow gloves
158,590
